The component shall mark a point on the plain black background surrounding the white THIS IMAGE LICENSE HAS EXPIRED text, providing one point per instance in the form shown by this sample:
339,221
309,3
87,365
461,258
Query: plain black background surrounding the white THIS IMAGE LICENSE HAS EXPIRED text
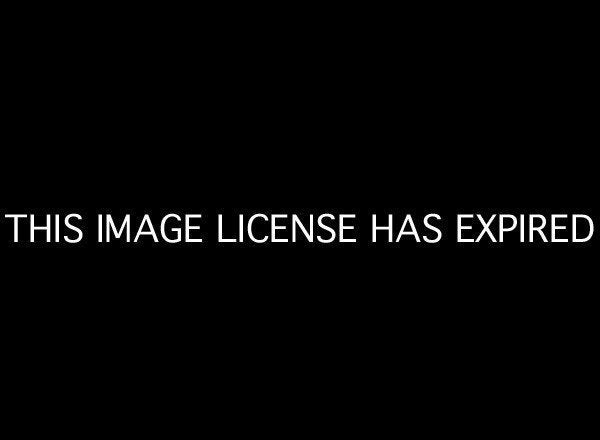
368,113
